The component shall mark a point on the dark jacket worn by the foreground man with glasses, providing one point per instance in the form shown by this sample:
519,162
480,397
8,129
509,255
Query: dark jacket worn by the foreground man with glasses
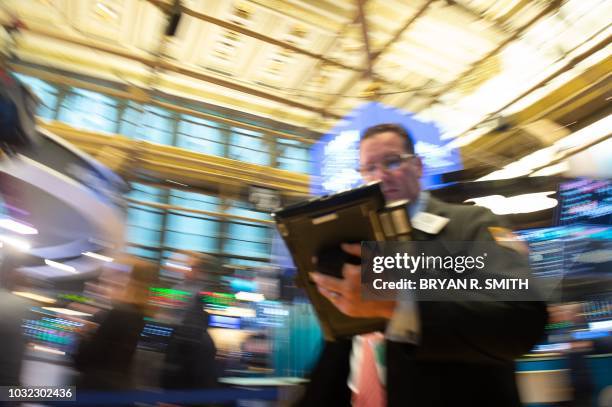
467,349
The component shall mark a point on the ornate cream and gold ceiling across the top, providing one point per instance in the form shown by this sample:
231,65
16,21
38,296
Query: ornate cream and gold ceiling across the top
311,52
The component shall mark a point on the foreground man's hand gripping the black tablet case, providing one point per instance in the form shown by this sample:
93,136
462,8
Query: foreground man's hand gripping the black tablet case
345,293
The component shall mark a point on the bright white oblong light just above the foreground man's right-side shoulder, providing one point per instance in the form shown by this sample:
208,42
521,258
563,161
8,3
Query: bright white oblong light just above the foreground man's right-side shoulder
524,203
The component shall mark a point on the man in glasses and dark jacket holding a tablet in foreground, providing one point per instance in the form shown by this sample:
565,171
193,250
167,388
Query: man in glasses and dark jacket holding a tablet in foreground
438,353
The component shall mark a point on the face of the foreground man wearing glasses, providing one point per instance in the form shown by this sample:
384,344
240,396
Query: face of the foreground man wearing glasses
399,183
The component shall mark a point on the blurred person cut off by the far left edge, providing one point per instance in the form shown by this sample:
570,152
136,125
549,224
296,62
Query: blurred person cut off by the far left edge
13,311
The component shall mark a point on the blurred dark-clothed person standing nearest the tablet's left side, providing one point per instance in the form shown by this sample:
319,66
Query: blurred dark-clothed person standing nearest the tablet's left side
191,353
